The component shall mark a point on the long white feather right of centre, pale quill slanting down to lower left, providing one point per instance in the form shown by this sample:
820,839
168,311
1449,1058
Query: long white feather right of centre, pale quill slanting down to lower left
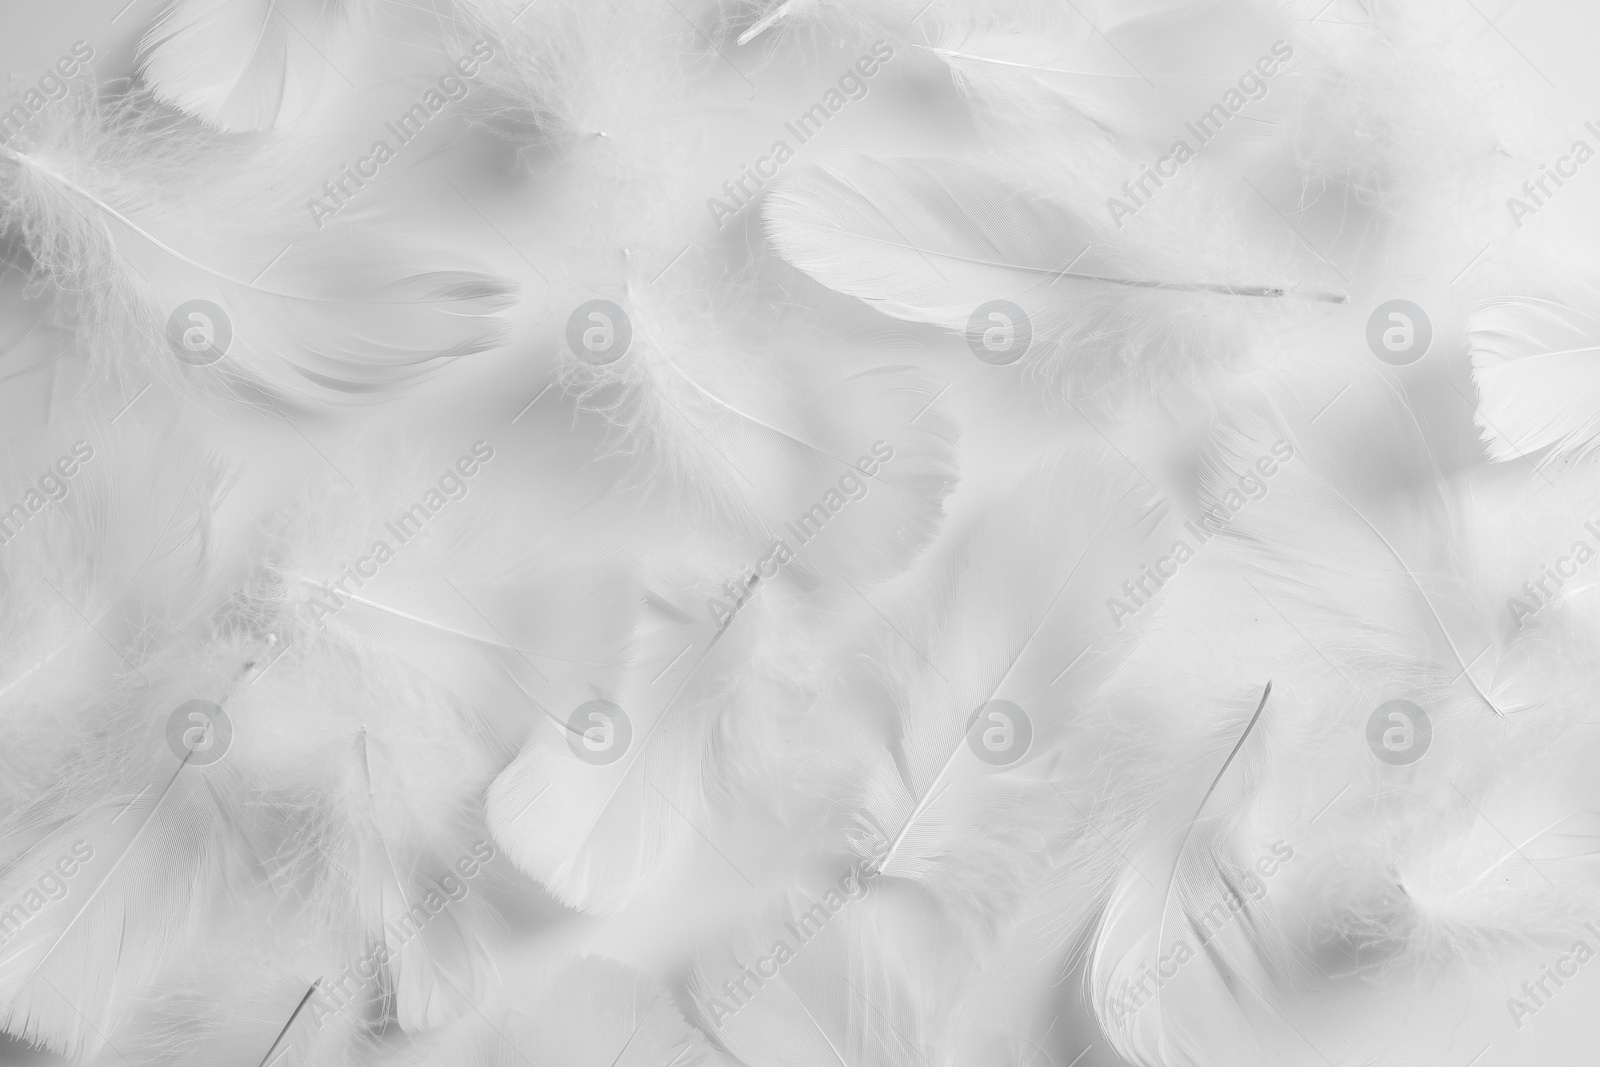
1017,613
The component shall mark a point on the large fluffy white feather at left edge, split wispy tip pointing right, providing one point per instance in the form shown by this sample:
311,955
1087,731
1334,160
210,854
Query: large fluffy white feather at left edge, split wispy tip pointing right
169,238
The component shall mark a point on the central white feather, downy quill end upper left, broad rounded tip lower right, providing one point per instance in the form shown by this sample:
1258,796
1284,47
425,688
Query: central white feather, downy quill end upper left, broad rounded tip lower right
714,414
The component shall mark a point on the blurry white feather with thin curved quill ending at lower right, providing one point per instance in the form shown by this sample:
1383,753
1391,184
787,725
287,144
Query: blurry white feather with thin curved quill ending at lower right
1369,562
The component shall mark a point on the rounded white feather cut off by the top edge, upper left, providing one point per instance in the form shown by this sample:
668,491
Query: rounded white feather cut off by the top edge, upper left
244,66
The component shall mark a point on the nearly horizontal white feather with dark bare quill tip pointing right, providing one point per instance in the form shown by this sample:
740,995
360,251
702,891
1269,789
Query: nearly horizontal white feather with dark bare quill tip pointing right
940,241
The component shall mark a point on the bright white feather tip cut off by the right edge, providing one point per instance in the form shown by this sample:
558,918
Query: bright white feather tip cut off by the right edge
1537,366
